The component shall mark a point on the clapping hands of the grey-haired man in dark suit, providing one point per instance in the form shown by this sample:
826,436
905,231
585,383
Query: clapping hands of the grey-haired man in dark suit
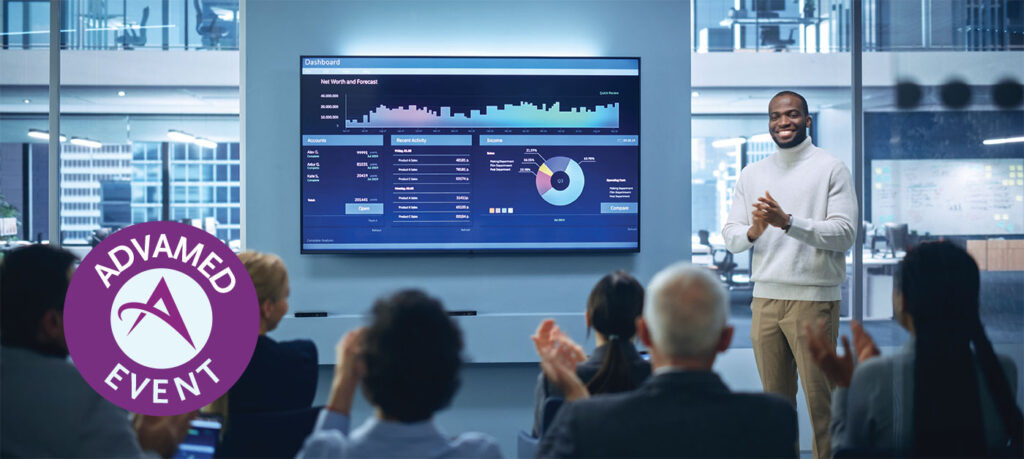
560,356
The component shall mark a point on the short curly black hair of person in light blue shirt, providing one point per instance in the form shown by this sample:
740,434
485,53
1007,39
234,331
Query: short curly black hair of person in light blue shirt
413,355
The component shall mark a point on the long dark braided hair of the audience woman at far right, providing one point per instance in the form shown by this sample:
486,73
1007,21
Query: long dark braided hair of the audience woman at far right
940,283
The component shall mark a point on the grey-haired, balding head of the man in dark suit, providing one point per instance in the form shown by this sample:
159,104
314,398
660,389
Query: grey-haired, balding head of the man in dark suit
686,311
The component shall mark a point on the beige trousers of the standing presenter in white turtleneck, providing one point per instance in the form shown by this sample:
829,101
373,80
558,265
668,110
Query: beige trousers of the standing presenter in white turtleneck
781,352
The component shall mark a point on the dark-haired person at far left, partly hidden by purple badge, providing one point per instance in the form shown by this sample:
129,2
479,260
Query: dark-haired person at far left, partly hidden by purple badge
47,409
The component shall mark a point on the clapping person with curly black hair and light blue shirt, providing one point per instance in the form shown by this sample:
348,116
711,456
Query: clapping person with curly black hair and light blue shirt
408,361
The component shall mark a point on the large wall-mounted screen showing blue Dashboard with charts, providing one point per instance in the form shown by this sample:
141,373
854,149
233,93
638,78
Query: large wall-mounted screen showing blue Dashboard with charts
471,154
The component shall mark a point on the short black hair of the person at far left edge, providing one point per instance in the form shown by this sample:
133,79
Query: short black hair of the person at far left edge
33,280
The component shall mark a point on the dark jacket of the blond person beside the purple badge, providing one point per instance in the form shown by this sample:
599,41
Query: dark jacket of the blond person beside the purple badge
281,377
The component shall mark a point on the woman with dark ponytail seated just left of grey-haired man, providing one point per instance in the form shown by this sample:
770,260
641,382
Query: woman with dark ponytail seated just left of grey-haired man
613,308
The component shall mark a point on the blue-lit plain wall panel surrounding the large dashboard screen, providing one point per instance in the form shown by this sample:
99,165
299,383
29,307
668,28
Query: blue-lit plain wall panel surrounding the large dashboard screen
511,294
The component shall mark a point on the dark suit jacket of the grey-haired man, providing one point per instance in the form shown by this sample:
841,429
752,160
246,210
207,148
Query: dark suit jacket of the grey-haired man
677,414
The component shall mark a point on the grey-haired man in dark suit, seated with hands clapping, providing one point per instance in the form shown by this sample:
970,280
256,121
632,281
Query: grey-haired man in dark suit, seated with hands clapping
685,409
